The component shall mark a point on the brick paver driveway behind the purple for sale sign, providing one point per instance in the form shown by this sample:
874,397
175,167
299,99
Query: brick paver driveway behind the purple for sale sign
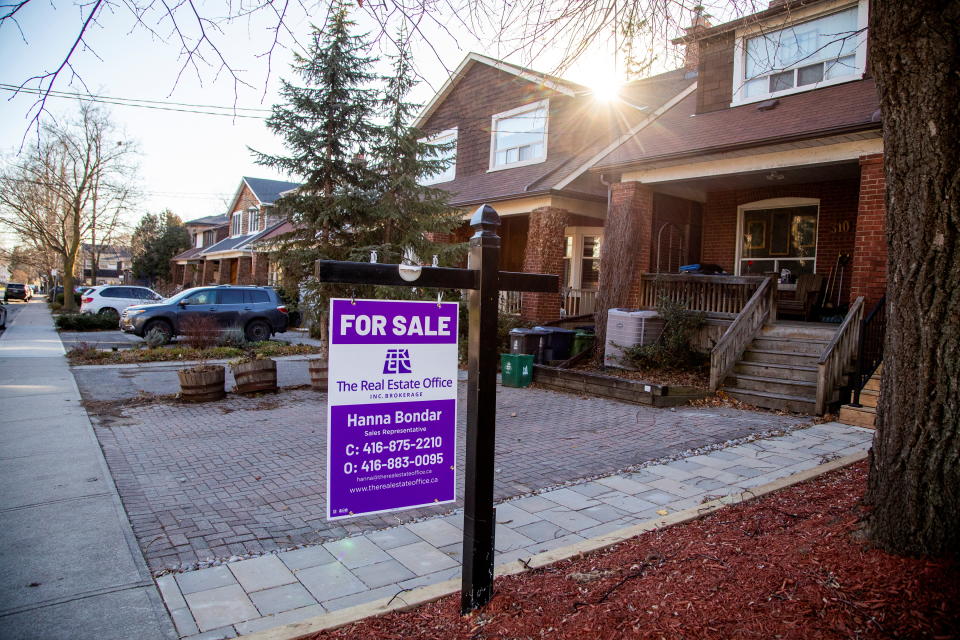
247,475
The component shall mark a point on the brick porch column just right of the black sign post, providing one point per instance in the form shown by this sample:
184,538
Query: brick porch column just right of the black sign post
544,254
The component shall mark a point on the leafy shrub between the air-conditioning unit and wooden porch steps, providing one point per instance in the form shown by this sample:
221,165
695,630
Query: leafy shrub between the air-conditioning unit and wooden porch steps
672,349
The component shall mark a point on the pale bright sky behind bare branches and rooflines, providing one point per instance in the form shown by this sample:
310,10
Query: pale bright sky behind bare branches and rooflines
192,162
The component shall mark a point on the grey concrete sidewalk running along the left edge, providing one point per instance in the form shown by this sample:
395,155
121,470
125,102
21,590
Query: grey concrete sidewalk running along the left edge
69,564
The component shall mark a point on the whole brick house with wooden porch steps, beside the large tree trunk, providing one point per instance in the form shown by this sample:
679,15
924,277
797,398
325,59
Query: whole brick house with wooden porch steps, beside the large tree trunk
772,163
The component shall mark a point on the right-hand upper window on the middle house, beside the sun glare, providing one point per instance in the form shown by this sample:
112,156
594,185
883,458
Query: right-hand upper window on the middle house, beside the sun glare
519,136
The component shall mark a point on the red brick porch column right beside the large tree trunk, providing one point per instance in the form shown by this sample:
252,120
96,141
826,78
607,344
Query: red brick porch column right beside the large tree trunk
869,268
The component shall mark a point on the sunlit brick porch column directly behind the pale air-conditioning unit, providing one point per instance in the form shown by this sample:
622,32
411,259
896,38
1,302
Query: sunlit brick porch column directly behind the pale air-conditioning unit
626,250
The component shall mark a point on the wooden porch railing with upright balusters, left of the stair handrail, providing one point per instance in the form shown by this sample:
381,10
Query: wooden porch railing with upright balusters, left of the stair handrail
723,296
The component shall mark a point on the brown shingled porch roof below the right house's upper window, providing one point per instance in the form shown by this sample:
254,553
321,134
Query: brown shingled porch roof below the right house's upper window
682,132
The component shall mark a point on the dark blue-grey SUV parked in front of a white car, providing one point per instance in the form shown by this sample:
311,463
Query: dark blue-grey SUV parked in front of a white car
256,310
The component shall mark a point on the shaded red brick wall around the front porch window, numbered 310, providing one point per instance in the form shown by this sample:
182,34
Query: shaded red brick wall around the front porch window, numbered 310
836,229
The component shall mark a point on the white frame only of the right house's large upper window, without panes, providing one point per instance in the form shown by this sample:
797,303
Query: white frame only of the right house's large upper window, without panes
798,17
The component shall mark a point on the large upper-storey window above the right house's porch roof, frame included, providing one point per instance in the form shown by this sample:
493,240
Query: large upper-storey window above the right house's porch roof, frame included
825,50
